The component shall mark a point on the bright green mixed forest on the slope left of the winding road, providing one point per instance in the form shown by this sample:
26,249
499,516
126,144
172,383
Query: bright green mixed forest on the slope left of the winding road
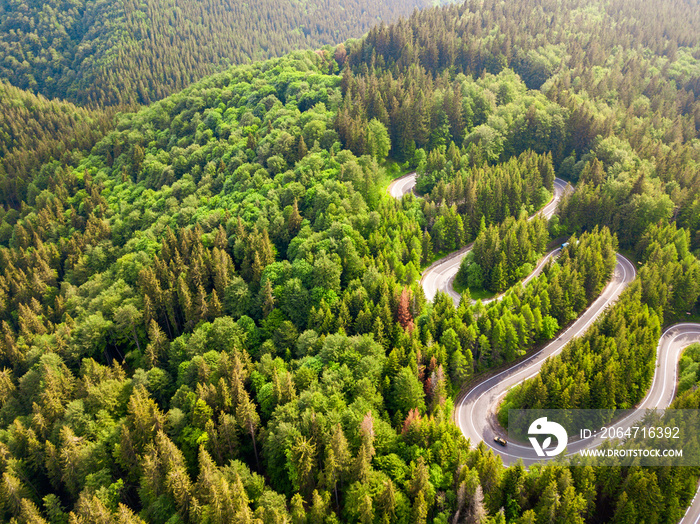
239,368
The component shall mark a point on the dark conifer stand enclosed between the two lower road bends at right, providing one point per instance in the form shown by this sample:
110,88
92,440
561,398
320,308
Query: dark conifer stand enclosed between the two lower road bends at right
668,286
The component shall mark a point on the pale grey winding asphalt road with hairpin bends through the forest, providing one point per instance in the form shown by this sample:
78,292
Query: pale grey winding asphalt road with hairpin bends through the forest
476,410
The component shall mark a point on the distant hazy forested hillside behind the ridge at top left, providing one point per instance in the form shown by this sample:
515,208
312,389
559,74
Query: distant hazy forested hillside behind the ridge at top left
99,53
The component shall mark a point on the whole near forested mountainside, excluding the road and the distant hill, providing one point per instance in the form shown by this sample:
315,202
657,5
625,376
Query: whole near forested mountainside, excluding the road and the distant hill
212,313
